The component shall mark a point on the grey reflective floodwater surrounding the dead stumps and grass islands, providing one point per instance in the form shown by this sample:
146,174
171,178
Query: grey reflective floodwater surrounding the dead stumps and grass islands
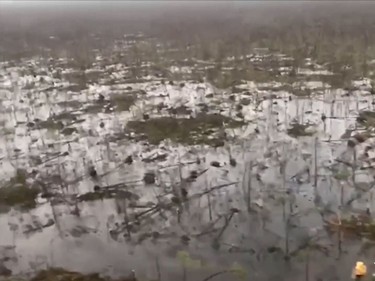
80,235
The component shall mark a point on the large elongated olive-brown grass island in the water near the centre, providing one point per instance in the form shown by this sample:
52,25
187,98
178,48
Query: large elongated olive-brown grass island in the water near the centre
199,130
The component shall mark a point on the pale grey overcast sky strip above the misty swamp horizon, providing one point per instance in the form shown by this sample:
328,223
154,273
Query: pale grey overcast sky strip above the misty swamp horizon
26,12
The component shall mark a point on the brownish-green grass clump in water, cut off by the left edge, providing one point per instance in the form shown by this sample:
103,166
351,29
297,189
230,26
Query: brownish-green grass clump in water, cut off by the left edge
17,192
